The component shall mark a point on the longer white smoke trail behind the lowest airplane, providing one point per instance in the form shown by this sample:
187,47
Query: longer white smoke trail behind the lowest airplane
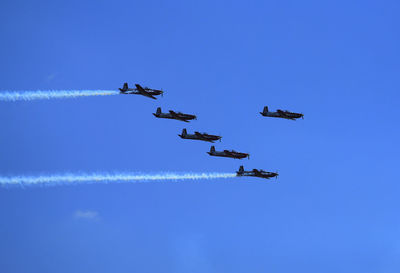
105,178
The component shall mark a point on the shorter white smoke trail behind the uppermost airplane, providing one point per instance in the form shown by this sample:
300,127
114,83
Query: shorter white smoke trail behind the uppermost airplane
52,94
